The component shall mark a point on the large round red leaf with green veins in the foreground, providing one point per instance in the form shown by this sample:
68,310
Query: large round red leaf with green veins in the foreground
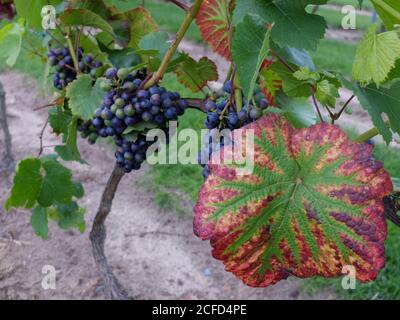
313,204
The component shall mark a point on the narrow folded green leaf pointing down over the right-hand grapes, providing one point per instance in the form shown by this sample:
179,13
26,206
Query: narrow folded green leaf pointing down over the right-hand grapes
250,46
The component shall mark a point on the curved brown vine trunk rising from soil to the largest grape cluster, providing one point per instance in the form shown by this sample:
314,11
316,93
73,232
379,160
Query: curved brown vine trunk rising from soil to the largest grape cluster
113,288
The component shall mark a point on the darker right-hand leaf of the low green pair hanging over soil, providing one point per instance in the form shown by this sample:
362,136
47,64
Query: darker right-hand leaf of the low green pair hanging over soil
57,184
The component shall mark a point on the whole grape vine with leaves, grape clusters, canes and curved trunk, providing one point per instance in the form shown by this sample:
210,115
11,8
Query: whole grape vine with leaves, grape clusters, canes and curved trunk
315,201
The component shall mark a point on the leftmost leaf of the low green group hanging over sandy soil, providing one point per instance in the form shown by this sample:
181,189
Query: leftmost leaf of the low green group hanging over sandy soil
27,184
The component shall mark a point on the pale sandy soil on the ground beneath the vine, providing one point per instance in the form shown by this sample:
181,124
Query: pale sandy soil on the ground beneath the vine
155,254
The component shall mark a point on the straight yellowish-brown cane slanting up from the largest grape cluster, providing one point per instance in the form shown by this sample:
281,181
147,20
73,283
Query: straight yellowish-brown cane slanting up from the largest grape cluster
190,16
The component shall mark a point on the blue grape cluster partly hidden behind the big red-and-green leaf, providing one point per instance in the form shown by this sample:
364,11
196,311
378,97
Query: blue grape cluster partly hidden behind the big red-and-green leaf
223,114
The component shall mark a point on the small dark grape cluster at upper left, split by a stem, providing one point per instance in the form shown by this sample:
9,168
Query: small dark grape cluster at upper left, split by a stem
65,71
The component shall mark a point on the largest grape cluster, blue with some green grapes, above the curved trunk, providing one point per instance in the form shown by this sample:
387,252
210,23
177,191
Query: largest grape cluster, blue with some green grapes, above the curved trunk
126,105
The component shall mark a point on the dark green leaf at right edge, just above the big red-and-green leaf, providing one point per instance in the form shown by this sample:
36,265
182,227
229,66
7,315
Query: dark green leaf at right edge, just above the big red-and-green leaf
384,100
